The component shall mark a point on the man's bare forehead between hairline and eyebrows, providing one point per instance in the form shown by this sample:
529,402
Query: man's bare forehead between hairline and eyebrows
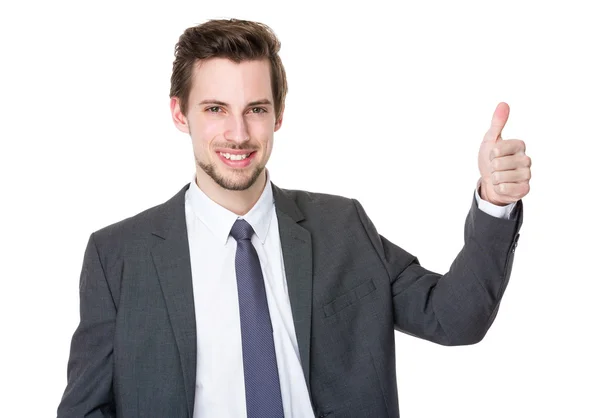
223,79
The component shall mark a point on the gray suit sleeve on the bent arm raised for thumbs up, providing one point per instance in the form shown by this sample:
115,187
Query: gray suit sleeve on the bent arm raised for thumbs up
458,307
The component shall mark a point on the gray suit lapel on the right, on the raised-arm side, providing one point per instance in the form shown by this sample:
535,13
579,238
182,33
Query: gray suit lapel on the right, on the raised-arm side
296,246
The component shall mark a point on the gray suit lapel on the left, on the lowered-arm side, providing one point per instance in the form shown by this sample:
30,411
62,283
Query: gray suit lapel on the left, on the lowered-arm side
171,257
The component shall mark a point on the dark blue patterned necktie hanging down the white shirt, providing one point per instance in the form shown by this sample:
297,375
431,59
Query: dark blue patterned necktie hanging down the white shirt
261,378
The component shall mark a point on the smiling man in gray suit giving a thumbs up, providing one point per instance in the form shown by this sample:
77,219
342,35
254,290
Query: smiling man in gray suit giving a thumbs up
238,298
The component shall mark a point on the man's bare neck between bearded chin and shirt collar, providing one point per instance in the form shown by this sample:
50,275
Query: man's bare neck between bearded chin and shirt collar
237,201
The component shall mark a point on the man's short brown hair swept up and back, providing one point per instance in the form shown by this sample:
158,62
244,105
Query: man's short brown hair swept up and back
237,40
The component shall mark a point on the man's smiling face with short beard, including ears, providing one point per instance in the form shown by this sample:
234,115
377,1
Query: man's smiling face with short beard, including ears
231,120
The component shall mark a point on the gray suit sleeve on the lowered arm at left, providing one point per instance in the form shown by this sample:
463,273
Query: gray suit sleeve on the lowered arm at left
89,371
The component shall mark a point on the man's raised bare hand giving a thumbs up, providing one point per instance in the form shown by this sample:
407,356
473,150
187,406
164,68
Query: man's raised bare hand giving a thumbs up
505,169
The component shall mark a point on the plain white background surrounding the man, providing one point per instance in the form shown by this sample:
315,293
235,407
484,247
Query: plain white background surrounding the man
388,103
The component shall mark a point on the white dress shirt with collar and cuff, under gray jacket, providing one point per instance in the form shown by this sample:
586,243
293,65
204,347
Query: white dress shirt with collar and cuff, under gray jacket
220,388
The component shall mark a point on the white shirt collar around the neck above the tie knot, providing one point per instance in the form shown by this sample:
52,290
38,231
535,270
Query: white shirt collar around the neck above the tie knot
220,220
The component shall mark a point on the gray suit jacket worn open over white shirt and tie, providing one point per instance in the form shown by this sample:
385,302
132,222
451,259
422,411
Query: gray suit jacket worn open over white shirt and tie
134,351
